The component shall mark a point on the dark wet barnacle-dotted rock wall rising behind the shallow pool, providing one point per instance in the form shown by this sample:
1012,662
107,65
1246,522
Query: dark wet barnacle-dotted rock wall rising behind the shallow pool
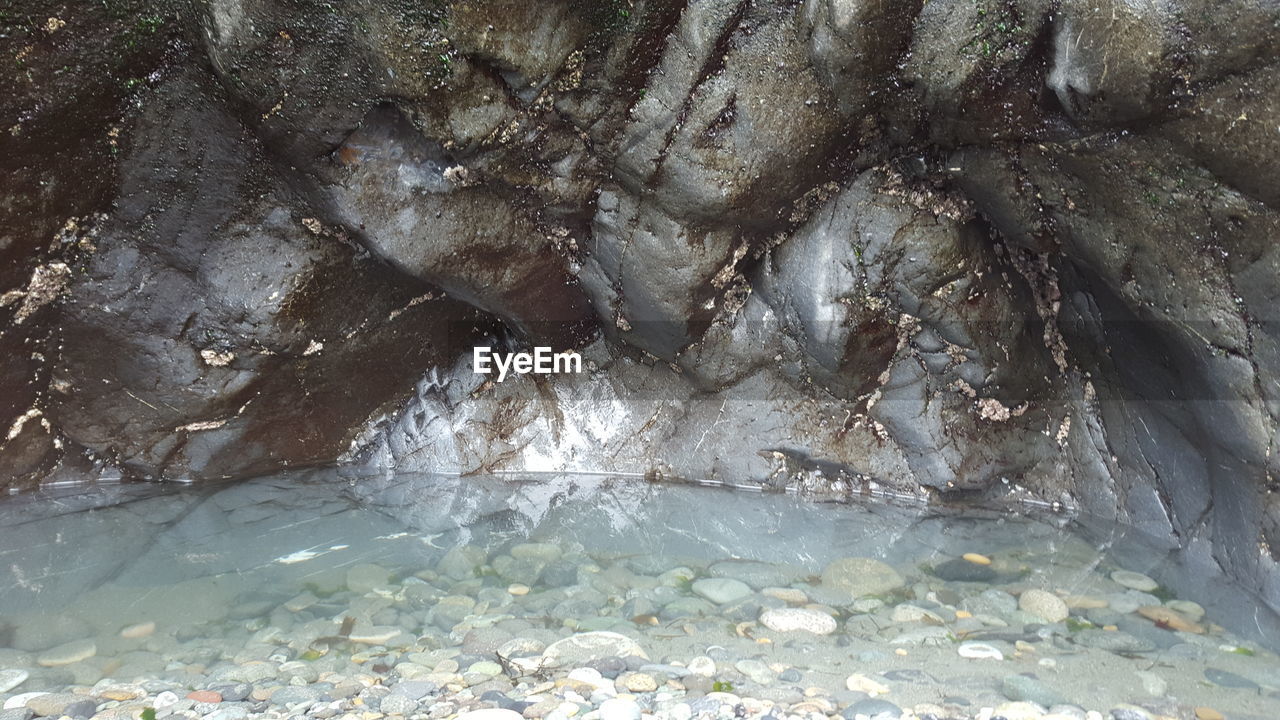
973,250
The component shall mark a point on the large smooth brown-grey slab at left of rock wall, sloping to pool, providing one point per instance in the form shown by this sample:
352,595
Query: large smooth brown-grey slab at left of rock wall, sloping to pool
227,308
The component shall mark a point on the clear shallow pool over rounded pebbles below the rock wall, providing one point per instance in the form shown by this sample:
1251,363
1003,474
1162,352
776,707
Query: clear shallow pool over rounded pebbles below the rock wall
341,590
